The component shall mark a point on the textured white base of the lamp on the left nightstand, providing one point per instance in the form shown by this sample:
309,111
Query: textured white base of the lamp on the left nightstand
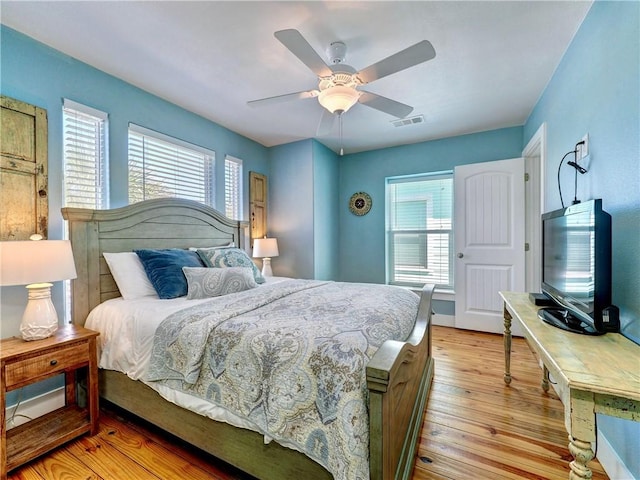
40,319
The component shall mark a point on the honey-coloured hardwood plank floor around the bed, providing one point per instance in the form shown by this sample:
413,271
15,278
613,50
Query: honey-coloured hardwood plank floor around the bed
475,427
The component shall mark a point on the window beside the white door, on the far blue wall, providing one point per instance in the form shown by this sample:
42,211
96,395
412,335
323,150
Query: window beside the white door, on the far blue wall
419,230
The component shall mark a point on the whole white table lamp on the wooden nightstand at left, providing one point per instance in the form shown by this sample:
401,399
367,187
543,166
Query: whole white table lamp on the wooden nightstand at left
35,263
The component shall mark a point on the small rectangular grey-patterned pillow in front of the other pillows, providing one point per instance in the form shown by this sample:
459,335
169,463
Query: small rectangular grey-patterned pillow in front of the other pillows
215,282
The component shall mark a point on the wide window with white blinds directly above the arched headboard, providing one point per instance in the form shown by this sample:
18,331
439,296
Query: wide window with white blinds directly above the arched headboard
162,166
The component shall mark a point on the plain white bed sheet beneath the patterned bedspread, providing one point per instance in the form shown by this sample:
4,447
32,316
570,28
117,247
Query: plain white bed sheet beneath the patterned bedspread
127,330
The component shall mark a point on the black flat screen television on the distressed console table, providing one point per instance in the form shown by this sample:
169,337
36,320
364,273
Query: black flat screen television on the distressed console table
576,268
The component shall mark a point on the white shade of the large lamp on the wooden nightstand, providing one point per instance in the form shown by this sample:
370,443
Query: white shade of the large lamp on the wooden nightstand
40,261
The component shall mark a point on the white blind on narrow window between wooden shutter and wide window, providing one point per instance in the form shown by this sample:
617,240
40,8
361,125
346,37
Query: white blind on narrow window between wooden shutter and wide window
86,180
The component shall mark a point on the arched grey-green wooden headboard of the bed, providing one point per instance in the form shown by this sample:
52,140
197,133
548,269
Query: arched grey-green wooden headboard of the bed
159,223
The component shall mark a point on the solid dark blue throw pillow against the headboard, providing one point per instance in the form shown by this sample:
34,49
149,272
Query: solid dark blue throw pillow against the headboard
164,269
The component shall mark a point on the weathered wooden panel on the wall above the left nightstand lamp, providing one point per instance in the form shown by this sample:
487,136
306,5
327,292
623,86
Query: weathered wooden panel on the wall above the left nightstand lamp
24,202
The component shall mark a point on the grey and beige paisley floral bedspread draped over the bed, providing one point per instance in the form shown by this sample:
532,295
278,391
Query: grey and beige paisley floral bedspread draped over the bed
291,358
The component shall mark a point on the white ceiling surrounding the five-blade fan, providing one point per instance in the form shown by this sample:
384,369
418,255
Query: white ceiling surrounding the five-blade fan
493,59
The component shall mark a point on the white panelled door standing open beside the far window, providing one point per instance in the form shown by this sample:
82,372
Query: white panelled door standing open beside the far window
489,241
